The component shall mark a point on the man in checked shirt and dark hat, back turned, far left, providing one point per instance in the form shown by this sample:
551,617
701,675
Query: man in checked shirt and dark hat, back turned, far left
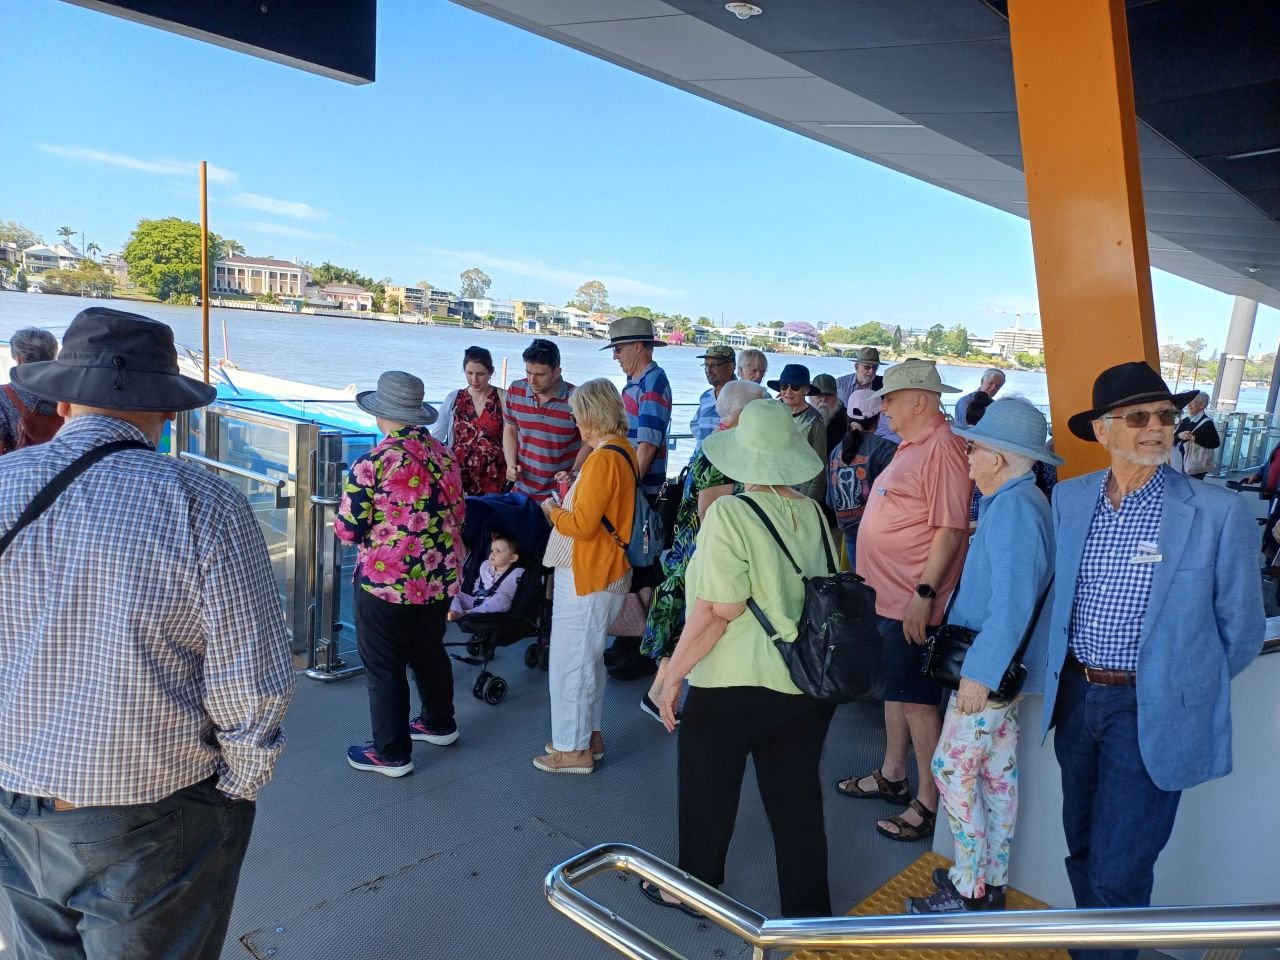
144,664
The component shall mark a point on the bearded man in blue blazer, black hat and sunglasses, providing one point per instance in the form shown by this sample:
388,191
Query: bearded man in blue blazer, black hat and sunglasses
1158,606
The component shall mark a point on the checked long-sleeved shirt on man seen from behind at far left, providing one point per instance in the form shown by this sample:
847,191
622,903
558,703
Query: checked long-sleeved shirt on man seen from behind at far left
143,646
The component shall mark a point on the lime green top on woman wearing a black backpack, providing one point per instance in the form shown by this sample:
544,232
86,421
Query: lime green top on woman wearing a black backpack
737,559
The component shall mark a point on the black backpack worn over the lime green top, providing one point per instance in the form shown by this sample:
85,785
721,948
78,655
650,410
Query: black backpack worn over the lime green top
838,655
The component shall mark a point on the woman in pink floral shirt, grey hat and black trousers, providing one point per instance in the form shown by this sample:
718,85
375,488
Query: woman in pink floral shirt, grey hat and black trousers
403,506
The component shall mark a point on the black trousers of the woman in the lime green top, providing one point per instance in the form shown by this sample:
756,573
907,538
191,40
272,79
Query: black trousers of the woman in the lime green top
784,735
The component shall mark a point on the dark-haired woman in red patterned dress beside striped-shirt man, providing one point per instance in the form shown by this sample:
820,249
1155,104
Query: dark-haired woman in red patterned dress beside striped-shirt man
472,424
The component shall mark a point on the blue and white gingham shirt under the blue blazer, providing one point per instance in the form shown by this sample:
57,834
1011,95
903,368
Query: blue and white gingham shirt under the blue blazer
1112,591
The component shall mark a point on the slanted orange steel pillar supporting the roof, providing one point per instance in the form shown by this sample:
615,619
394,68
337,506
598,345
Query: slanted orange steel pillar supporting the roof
1085,199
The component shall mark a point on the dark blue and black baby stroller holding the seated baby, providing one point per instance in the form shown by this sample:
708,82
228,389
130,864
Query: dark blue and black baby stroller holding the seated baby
529,616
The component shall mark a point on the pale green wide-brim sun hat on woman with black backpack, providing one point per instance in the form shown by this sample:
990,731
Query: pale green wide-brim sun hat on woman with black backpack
765,449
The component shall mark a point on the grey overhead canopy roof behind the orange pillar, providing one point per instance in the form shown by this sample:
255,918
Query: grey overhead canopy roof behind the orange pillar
926,88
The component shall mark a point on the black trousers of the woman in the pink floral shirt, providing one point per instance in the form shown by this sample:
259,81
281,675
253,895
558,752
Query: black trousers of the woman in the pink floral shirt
390,638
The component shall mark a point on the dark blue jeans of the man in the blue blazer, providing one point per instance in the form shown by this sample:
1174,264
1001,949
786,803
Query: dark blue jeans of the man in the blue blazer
1117,821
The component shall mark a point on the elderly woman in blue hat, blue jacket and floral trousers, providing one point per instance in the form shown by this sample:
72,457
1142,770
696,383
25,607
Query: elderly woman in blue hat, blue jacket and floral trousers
1007,572
